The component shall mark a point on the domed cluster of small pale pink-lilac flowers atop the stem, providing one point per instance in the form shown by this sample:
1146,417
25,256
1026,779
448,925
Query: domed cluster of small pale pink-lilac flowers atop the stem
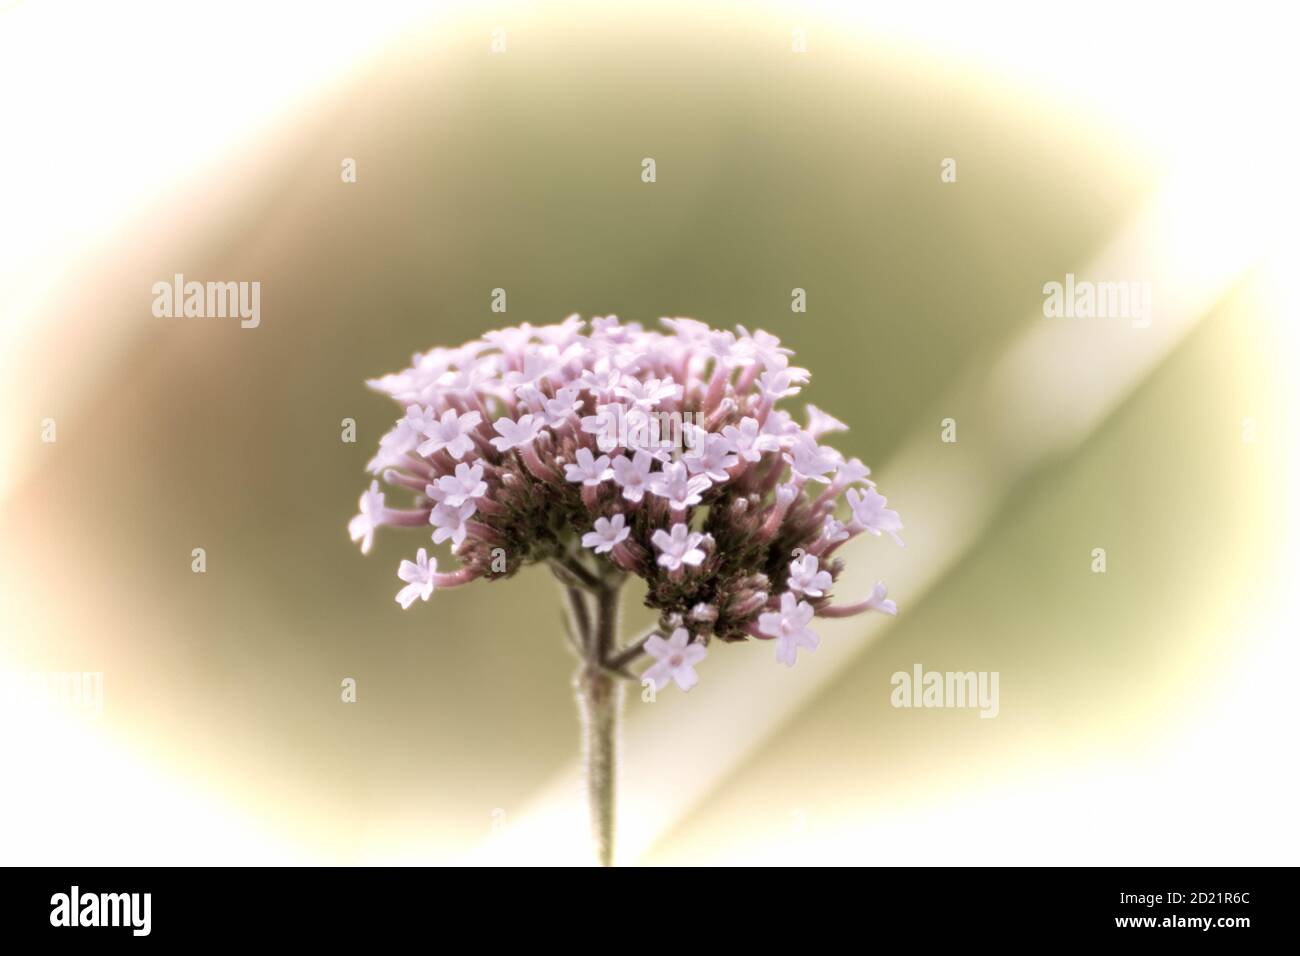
612,451
